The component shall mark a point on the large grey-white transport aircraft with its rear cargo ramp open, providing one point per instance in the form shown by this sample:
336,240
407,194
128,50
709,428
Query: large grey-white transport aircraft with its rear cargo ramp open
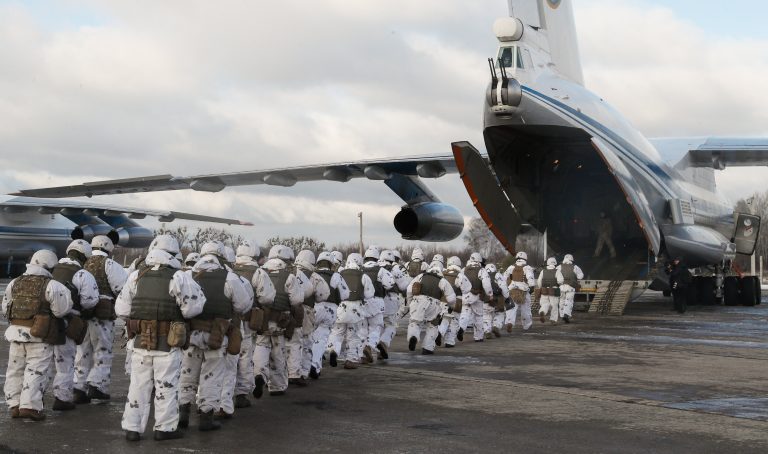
557,156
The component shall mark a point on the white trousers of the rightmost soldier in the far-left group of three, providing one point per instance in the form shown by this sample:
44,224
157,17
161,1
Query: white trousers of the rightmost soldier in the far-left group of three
93,361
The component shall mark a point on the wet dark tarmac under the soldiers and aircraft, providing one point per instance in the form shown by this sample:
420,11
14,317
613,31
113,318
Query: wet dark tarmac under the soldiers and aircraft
649,381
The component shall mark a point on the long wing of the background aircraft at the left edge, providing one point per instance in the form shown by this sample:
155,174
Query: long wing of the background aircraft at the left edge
71,207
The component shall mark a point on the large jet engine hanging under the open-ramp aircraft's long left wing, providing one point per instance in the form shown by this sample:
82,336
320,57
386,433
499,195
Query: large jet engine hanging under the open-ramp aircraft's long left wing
429,222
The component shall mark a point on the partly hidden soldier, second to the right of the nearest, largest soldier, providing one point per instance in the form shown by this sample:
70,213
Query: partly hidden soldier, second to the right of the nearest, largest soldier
246,265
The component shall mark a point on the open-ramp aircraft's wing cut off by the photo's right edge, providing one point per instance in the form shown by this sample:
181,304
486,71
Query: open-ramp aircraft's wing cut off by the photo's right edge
719,153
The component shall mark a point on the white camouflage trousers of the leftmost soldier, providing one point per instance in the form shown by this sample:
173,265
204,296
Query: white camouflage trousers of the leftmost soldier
27,375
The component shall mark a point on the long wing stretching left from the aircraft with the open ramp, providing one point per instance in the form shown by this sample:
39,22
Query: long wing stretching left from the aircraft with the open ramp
382,169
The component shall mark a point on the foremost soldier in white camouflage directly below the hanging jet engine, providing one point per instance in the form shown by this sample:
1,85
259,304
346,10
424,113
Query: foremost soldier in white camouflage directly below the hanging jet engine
424,295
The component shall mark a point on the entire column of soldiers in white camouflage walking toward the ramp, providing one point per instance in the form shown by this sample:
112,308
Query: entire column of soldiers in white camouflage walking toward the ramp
215,327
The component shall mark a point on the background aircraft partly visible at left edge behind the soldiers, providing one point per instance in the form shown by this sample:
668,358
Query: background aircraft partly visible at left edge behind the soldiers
29,224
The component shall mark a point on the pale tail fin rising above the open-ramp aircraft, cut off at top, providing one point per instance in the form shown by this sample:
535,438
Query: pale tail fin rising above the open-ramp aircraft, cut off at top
554,19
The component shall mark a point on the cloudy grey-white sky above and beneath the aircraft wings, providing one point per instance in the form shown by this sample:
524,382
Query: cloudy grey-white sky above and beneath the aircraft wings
102,89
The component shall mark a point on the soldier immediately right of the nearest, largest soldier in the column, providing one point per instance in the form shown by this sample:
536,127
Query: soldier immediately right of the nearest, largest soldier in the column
203,364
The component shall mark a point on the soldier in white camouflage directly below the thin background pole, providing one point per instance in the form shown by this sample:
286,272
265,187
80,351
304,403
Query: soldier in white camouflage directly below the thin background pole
345,340
